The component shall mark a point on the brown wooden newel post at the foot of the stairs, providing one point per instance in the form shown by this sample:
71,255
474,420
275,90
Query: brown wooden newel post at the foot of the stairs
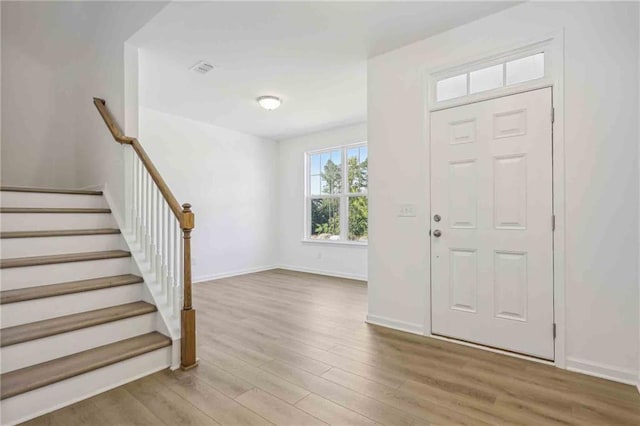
188,347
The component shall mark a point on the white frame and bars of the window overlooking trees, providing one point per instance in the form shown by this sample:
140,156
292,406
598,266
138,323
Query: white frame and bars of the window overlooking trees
343,197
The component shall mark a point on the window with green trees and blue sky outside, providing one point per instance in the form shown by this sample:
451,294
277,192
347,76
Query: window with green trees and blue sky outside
336,195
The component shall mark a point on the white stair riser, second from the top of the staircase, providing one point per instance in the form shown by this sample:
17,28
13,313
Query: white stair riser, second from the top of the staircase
55,221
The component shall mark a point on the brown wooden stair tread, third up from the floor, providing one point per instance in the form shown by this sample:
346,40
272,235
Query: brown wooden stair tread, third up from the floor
50,290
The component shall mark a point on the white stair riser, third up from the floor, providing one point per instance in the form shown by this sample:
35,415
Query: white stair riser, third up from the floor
51,307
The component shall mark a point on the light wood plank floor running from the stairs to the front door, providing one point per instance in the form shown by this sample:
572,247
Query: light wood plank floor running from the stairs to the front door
288,348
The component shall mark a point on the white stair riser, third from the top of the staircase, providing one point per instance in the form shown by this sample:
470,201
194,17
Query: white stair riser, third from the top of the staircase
26,247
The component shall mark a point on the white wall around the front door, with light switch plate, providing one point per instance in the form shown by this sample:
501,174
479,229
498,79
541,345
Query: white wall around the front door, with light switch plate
600,86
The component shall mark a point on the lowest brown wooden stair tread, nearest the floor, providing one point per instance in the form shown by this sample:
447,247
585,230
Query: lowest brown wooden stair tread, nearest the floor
27,379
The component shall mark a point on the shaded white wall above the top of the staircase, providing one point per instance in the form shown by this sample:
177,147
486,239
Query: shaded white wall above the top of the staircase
55,57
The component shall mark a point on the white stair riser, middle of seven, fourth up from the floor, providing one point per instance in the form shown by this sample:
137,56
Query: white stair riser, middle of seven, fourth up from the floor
29,276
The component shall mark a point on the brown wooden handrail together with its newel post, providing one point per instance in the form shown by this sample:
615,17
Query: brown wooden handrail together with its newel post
185,218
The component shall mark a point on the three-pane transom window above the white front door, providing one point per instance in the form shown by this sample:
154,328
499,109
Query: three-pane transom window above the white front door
491,77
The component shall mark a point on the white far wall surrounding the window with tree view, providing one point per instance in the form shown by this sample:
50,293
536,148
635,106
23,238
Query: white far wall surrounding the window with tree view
333,259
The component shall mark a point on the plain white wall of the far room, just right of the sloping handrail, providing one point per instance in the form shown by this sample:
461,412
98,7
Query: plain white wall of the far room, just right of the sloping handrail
230,178
